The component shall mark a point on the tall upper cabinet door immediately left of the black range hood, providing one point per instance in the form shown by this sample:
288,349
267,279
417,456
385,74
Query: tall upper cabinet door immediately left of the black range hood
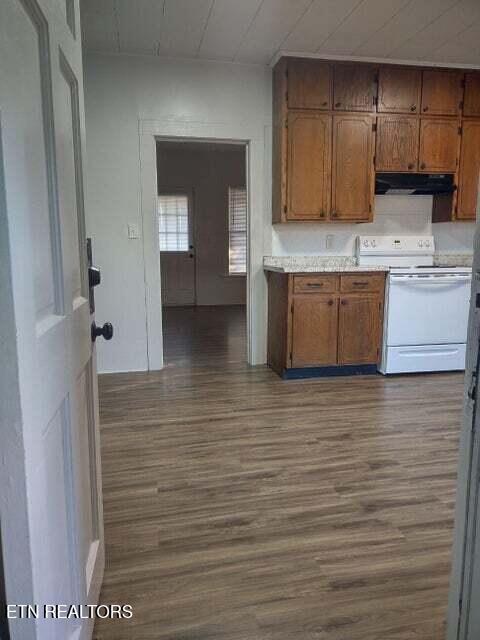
352,168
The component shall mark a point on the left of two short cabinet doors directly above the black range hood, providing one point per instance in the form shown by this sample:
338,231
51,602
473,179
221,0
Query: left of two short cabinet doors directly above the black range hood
397,143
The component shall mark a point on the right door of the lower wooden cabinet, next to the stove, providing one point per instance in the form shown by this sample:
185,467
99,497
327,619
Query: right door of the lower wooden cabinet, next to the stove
359,333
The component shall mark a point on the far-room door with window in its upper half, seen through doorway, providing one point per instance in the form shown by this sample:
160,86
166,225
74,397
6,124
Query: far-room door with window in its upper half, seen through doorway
177,250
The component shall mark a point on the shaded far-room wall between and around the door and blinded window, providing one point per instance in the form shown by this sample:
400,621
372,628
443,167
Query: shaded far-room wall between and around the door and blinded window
208,171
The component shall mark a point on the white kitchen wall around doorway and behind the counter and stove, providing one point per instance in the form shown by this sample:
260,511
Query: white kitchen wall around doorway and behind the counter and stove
120,91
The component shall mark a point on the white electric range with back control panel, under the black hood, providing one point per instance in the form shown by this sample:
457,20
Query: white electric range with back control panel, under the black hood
426,307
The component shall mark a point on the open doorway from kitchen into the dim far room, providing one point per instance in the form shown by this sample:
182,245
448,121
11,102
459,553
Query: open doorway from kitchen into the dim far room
202,211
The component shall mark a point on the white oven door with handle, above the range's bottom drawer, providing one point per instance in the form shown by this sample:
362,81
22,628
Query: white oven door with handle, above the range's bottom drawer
427,309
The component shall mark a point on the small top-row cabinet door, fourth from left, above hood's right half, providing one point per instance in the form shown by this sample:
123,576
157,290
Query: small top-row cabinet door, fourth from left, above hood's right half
442,92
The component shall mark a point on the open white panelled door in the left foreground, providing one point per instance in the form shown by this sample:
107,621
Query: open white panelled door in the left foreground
50,503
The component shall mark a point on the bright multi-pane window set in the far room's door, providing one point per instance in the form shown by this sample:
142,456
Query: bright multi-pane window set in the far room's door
173,222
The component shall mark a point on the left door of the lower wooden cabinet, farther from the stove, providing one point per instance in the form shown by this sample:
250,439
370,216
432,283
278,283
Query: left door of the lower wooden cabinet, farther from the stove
314,331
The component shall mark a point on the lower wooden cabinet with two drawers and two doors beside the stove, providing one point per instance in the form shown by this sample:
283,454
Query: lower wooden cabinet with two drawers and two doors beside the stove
330,320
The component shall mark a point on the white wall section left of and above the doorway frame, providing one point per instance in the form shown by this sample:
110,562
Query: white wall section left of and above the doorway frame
120,90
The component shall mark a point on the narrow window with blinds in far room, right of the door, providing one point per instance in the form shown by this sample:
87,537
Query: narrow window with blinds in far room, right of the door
237,217
